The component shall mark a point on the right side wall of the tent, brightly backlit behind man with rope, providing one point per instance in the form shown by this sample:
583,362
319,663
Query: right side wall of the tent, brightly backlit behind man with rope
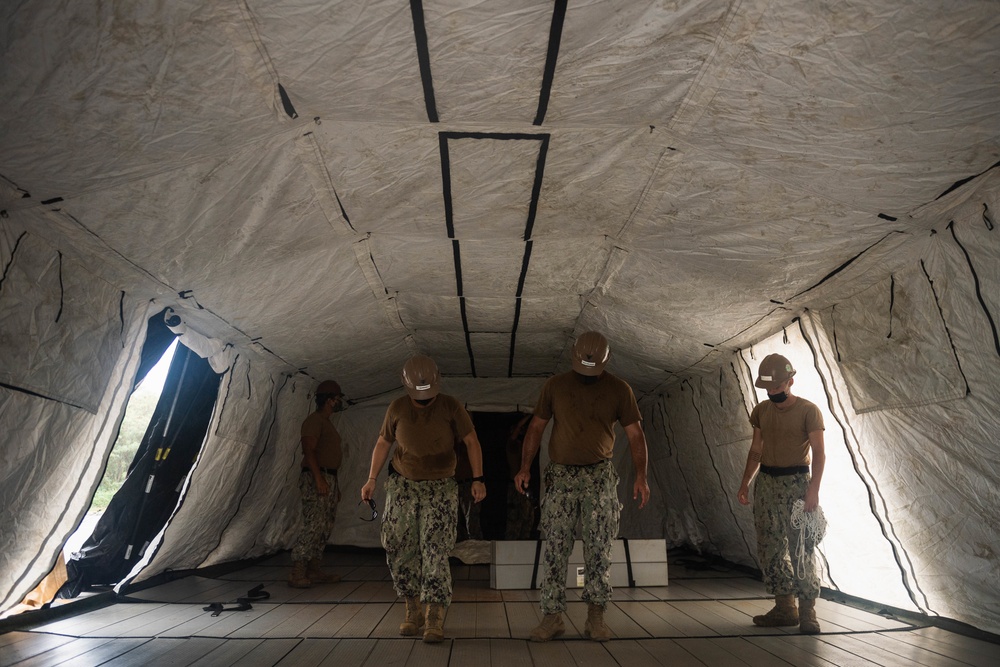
903,361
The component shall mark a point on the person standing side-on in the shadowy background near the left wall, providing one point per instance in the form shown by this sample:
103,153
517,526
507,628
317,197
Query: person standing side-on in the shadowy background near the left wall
321,456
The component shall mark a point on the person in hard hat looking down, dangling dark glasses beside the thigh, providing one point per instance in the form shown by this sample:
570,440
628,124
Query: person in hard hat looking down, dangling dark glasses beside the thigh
421,495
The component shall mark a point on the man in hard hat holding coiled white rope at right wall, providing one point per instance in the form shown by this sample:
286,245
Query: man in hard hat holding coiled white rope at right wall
787,448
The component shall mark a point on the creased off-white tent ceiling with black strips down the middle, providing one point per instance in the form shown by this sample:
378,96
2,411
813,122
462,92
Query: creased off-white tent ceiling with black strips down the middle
480,183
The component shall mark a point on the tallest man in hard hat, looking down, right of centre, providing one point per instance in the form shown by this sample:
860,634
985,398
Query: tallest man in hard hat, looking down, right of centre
581,484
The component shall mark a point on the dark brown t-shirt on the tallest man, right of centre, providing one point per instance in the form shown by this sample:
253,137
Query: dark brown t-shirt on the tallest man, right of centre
585,416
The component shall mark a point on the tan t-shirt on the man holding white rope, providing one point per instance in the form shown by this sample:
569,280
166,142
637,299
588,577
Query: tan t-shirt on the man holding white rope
786,432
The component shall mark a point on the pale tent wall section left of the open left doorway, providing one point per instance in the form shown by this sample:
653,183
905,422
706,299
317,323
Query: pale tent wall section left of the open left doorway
71,345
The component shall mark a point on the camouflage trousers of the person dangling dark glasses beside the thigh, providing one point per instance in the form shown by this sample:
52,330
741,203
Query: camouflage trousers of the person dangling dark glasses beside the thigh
418,533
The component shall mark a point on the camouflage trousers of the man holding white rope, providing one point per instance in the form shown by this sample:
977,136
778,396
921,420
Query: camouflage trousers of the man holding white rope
772,513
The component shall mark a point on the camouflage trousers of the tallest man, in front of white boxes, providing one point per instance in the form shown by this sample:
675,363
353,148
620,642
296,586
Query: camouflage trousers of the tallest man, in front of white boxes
588,495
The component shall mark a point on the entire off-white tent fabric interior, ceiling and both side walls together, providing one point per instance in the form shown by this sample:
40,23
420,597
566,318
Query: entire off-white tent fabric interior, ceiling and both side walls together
322,189
